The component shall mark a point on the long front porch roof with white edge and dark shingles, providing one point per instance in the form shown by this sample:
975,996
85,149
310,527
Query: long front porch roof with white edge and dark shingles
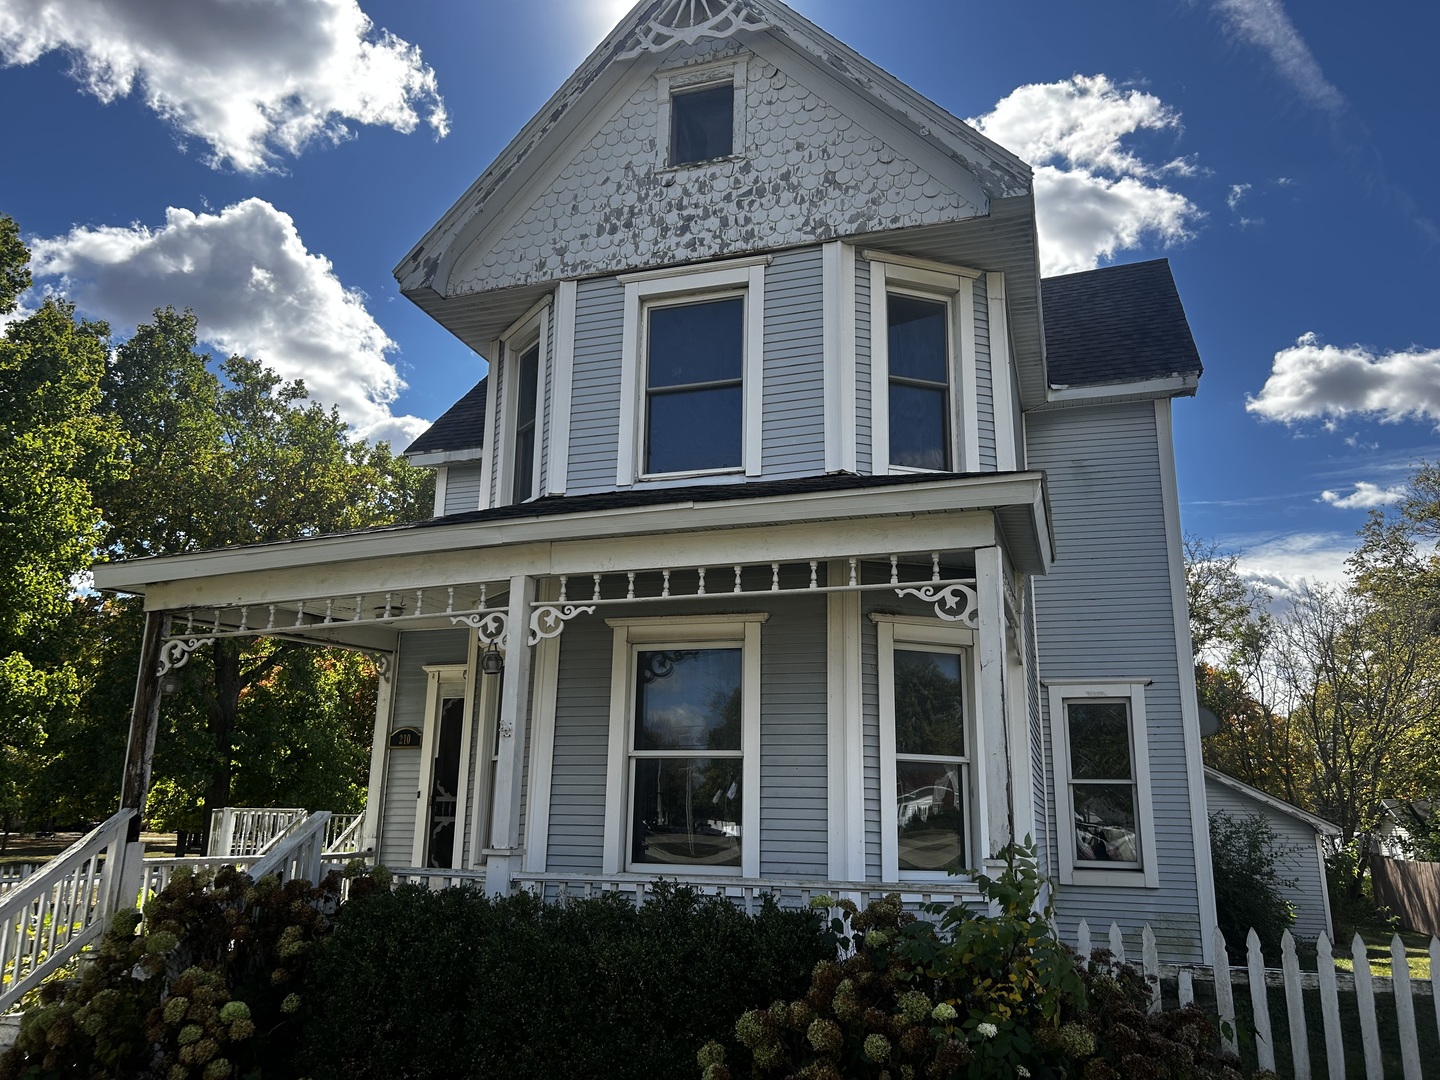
1019,502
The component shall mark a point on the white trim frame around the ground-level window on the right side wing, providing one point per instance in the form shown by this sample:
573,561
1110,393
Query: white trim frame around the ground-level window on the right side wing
1072,870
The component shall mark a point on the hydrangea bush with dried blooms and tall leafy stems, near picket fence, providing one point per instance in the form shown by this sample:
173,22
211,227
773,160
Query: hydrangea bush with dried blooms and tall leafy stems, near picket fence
976,996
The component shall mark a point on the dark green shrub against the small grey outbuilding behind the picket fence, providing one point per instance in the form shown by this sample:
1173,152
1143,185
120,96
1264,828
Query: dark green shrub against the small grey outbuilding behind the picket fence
1246,852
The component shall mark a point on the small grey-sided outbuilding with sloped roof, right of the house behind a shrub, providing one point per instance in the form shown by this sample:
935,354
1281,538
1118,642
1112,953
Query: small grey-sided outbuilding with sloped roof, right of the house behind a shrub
1301,840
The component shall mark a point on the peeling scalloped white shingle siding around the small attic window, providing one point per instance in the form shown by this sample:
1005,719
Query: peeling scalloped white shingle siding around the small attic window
803,171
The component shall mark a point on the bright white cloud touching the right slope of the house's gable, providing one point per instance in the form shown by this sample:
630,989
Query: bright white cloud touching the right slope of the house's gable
1095,197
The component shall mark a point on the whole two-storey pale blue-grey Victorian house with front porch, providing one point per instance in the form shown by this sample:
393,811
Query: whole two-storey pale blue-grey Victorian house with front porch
822,542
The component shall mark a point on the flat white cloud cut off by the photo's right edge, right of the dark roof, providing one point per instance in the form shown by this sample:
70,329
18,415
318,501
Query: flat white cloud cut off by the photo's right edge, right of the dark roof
1314,381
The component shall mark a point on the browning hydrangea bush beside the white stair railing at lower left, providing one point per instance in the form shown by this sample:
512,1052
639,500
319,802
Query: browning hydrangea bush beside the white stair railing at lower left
205,990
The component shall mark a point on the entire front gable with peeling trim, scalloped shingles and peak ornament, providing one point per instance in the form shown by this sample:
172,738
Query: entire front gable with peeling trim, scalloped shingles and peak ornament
822,112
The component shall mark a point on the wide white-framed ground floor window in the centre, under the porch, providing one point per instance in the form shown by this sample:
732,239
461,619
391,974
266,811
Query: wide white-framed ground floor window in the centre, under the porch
683,781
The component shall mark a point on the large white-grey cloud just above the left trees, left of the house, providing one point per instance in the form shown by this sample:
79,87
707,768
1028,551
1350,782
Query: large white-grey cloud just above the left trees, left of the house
254,289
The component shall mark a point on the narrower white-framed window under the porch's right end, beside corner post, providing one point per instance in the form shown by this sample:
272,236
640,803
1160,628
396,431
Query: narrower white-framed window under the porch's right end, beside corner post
927,734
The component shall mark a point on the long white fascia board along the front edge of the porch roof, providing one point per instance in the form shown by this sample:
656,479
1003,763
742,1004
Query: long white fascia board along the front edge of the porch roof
978,493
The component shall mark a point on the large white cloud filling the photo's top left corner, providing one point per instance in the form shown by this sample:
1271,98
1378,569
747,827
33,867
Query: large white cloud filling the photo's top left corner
248,78
